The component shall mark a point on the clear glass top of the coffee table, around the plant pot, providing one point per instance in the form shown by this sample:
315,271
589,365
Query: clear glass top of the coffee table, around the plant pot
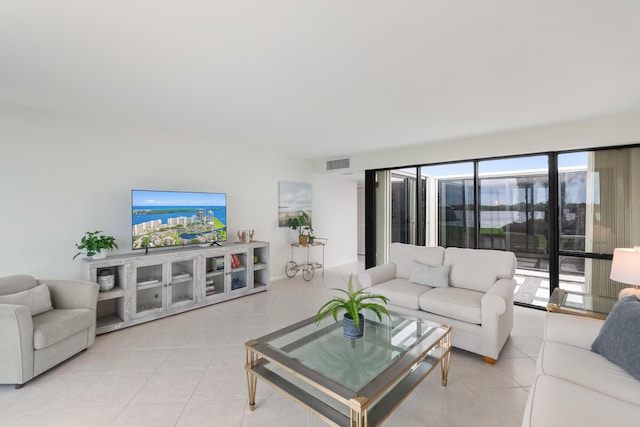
352,363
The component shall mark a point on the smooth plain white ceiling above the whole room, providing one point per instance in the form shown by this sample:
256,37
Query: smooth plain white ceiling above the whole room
322,79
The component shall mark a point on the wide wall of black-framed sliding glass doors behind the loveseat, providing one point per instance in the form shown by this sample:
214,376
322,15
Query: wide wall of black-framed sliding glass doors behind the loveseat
562,214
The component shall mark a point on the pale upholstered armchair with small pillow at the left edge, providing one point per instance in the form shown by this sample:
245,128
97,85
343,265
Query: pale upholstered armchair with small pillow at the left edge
42,323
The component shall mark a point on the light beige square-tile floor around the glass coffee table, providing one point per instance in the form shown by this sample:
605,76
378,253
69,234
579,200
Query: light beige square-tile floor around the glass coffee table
187,370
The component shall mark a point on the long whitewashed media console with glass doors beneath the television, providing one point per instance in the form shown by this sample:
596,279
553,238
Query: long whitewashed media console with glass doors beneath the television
171,281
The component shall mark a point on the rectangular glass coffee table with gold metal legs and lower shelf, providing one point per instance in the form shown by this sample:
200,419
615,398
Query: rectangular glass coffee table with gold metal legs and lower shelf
349,382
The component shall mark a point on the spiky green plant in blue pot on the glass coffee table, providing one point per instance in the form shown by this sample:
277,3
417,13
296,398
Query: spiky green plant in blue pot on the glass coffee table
353,304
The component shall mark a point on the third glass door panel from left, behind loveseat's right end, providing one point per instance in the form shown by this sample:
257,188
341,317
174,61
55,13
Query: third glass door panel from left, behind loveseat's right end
514,216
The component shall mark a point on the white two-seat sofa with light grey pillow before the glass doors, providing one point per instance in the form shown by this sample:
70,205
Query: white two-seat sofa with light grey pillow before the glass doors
477,301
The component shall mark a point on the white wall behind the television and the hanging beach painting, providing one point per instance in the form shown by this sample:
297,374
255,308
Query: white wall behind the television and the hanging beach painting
61,176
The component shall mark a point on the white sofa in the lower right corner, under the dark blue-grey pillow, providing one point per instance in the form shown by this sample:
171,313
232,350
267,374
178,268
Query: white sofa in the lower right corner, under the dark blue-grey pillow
575,386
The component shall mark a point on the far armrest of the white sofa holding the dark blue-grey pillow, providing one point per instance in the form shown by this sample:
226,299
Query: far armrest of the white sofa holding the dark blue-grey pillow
578,331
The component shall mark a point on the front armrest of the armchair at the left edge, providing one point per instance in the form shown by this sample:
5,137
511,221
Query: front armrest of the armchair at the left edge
16,344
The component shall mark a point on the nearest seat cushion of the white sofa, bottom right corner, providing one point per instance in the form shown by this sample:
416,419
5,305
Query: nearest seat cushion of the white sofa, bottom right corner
556,402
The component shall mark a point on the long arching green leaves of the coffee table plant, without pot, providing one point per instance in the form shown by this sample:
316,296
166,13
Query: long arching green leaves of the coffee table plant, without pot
353,304
